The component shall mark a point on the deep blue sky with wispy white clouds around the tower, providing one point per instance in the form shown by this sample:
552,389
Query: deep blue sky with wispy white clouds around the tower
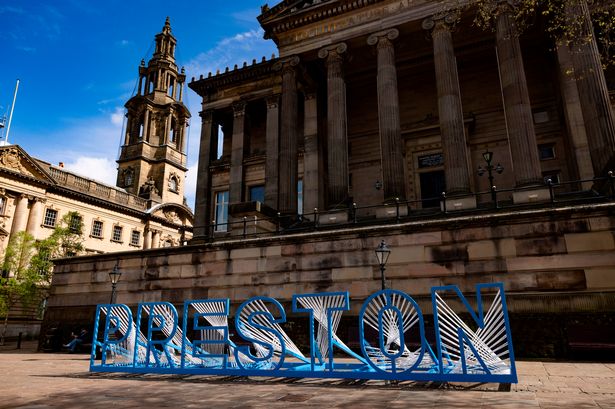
77,61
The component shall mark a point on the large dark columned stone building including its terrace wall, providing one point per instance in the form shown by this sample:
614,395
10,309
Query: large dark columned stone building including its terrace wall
372,110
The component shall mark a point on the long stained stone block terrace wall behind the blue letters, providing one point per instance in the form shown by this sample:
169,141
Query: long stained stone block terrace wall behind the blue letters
557,264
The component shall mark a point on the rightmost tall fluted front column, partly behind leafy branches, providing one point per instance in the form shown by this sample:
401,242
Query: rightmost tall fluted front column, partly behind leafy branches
594,95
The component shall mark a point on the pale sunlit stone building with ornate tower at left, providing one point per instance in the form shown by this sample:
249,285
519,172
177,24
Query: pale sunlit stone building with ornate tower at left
147,207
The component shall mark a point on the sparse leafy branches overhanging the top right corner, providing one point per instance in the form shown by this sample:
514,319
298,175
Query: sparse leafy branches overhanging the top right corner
564,20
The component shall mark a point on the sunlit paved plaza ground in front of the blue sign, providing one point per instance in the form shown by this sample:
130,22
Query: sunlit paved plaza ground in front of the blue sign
40,380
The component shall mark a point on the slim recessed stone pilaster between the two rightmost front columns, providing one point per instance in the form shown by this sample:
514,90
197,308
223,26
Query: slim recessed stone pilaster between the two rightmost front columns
573,113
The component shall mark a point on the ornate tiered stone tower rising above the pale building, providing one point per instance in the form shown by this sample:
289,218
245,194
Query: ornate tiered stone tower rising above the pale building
152,162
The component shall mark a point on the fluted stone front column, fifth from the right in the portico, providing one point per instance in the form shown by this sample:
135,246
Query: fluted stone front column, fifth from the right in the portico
337,137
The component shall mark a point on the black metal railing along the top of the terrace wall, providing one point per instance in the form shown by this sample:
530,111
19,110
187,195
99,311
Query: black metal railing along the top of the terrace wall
549,194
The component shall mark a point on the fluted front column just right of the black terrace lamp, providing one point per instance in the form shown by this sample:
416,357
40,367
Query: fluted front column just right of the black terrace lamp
517,107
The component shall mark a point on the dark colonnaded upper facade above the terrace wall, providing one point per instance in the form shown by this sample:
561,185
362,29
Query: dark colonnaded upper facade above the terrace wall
373,101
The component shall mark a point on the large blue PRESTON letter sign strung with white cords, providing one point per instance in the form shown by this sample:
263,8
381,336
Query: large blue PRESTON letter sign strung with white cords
155,341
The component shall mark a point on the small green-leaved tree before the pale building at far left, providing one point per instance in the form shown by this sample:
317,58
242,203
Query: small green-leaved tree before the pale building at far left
28,264
